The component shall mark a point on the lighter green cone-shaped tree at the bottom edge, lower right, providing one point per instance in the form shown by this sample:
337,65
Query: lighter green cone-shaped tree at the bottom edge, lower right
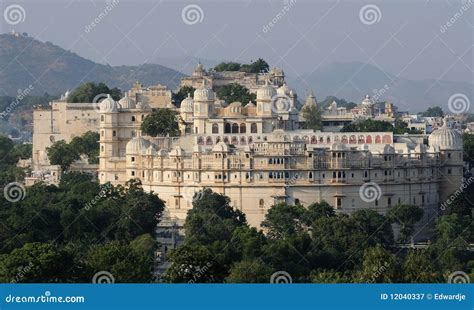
379,266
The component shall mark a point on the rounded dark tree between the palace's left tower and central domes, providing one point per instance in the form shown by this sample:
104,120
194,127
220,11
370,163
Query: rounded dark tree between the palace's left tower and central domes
161,122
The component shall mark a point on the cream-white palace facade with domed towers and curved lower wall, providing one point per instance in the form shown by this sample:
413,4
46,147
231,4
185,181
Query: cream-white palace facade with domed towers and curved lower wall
257,155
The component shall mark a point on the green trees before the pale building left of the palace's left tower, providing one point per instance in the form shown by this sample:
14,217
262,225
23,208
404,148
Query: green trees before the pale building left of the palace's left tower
64,154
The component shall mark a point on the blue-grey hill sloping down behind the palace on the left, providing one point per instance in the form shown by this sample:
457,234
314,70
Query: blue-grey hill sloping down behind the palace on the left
51,69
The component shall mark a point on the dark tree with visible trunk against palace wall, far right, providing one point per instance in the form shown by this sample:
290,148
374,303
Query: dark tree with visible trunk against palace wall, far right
406,216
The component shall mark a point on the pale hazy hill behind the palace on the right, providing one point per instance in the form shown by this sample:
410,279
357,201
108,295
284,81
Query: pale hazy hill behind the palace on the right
412,95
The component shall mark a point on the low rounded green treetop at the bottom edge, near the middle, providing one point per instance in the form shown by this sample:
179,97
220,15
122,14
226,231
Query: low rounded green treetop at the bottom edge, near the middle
250,271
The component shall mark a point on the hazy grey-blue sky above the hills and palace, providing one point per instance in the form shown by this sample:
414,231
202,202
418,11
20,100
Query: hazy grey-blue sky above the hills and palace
405,38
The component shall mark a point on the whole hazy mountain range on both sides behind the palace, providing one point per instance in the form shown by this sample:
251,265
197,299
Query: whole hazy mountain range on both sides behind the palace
52,69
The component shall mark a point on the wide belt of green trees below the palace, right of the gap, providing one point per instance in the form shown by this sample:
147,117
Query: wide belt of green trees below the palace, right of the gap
316,244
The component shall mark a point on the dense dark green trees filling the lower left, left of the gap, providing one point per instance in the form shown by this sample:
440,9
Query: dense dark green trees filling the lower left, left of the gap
70,232
